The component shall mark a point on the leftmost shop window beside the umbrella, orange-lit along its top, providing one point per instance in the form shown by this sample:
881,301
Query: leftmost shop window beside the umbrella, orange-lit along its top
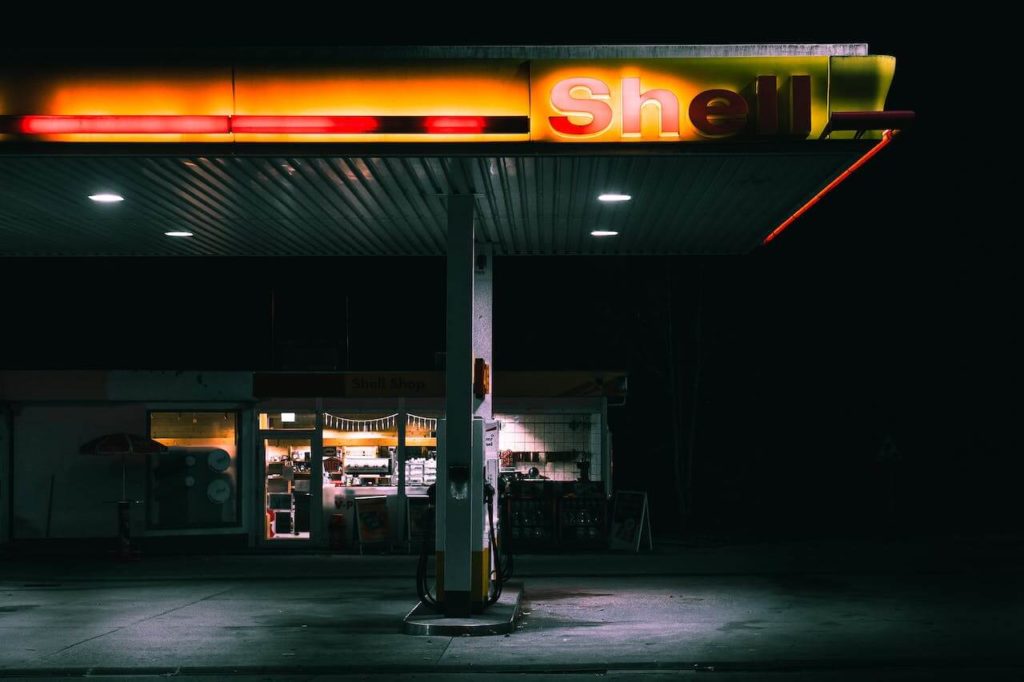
195,485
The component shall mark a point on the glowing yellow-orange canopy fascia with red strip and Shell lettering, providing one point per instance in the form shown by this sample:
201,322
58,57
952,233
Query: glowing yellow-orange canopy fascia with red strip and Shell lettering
438,101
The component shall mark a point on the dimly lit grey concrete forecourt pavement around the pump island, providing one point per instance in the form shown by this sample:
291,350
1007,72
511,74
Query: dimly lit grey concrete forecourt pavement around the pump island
339,618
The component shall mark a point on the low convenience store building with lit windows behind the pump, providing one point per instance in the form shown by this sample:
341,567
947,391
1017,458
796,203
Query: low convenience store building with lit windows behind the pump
252,457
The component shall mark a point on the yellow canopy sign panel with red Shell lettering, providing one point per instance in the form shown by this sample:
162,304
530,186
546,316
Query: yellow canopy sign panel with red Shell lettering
686,100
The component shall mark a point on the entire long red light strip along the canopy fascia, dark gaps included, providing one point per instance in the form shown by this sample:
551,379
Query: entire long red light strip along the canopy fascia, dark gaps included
345,125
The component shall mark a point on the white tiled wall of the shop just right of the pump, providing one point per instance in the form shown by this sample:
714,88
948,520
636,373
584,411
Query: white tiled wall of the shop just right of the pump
543,434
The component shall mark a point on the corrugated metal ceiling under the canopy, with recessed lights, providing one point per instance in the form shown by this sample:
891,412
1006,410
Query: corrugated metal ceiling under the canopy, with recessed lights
704,202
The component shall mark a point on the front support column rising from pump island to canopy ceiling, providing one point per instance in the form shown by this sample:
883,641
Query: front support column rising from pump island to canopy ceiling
457,499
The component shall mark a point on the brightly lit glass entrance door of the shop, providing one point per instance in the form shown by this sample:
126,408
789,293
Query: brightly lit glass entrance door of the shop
292,480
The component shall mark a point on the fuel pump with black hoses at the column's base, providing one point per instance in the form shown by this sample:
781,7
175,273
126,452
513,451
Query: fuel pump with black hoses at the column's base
472,564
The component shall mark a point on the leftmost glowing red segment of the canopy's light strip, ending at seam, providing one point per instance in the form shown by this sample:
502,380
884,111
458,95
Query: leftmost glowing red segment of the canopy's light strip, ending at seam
53,125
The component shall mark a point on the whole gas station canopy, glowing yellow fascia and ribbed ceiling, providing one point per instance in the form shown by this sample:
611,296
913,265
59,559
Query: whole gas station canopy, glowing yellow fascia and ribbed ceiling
356,152
